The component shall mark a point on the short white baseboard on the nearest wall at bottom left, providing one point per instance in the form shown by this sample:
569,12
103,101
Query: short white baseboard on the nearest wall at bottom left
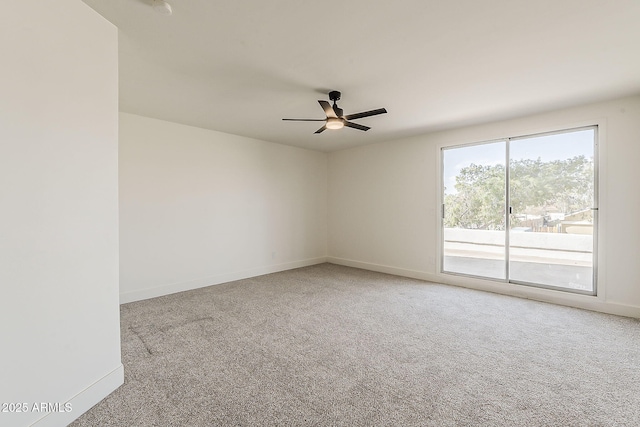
84,400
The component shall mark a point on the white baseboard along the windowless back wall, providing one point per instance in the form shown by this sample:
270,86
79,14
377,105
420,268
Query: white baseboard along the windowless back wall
172,288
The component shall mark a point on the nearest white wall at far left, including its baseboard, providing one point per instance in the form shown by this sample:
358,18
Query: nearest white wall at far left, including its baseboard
59,313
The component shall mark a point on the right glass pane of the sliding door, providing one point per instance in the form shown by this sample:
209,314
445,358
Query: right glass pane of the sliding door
551,185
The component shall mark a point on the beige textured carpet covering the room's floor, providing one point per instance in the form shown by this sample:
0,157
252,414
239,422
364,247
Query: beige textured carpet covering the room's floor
336,346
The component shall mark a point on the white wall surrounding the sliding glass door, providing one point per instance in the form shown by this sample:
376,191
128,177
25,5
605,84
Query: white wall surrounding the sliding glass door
384,201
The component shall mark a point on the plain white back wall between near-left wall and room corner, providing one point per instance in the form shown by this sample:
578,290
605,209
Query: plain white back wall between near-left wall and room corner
199,207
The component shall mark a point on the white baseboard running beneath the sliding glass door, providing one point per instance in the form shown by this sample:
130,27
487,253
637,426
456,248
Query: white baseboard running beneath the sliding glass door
527,292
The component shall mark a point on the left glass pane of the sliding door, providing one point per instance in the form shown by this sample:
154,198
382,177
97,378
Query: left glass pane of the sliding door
474,217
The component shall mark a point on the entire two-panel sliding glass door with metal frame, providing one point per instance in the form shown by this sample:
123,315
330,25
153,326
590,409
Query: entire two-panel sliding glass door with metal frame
523,210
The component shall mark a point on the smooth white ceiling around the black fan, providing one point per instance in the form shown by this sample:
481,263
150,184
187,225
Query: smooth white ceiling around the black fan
242,66
